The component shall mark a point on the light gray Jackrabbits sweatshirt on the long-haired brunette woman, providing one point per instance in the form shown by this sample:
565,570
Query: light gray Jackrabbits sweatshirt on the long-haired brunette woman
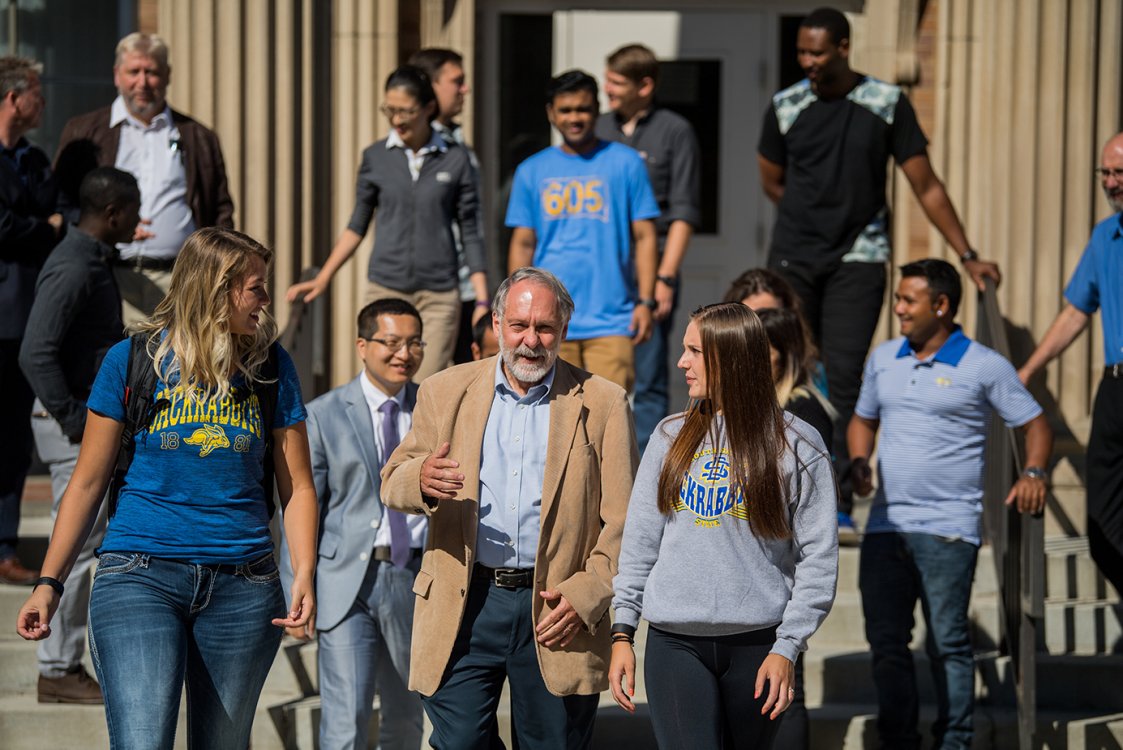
702,572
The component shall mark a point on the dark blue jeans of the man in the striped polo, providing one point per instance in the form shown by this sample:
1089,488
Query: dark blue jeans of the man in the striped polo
896,571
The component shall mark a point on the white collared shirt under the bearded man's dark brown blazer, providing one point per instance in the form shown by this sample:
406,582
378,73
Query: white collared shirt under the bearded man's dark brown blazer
154,156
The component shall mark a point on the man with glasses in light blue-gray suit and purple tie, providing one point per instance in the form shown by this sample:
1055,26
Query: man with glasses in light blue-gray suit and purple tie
369,556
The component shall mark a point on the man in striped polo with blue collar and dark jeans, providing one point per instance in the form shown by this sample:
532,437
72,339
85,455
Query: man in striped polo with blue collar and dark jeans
932,392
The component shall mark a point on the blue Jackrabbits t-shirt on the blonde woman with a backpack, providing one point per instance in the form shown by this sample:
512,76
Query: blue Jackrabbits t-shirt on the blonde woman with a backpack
194,491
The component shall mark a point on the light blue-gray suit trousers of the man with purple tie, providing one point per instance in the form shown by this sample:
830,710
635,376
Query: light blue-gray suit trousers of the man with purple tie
370,645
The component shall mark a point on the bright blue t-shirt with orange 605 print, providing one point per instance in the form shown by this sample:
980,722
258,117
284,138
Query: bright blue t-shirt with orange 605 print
582,208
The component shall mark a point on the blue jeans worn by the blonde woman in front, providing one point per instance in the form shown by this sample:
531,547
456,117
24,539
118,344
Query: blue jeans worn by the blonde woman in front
156,624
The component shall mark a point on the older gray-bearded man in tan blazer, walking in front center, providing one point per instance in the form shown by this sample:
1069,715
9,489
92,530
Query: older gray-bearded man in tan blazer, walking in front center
525,465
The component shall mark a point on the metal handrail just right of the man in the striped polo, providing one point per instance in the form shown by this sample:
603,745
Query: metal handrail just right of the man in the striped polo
1017,539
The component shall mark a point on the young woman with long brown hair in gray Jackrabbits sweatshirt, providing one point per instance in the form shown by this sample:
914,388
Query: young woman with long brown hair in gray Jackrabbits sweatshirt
731,548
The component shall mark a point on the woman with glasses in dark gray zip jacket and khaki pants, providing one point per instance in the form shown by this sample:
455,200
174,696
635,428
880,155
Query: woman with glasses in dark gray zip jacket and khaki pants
421,187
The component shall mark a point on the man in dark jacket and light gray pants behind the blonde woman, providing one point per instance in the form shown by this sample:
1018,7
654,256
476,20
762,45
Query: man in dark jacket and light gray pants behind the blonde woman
75,321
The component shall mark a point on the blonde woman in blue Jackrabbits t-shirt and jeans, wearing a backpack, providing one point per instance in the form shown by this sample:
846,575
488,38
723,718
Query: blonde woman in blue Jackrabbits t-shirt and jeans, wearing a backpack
187,590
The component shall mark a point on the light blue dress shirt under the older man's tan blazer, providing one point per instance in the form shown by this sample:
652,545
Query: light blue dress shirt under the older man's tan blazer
513,465
